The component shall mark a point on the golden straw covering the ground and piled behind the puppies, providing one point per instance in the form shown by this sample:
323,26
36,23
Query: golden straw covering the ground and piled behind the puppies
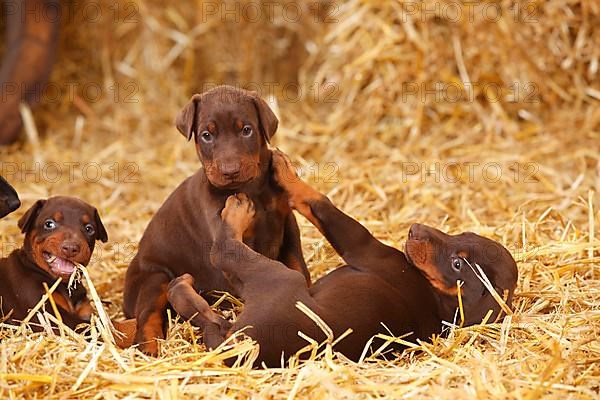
520,166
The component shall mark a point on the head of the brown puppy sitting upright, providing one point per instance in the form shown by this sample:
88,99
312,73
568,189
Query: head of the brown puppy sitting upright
231,128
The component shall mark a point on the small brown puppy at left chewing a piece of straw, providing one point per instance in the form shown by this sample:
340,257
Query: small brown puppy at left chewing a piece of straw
59,232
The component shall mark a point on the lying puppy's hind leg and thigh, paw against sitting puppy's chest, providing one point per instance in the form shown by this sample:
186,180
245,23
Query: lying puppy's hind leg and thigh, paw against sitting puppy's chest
271,290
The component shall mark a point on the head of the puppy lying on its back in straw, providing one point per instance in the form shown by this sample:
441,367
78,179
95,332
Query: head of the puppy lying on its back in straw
445,259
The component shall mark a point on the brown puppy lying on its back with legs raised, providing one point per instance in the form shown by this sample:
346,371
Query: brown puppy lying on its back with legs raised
380,288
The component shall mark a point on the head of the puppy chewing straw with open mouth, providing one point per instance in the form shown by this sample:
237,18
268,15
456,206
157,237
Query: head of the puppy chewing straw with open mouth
60,232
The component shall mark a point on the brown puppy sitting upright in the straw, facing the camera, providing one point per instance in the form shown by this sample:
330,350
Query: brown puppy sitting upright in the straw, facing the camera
231,129
